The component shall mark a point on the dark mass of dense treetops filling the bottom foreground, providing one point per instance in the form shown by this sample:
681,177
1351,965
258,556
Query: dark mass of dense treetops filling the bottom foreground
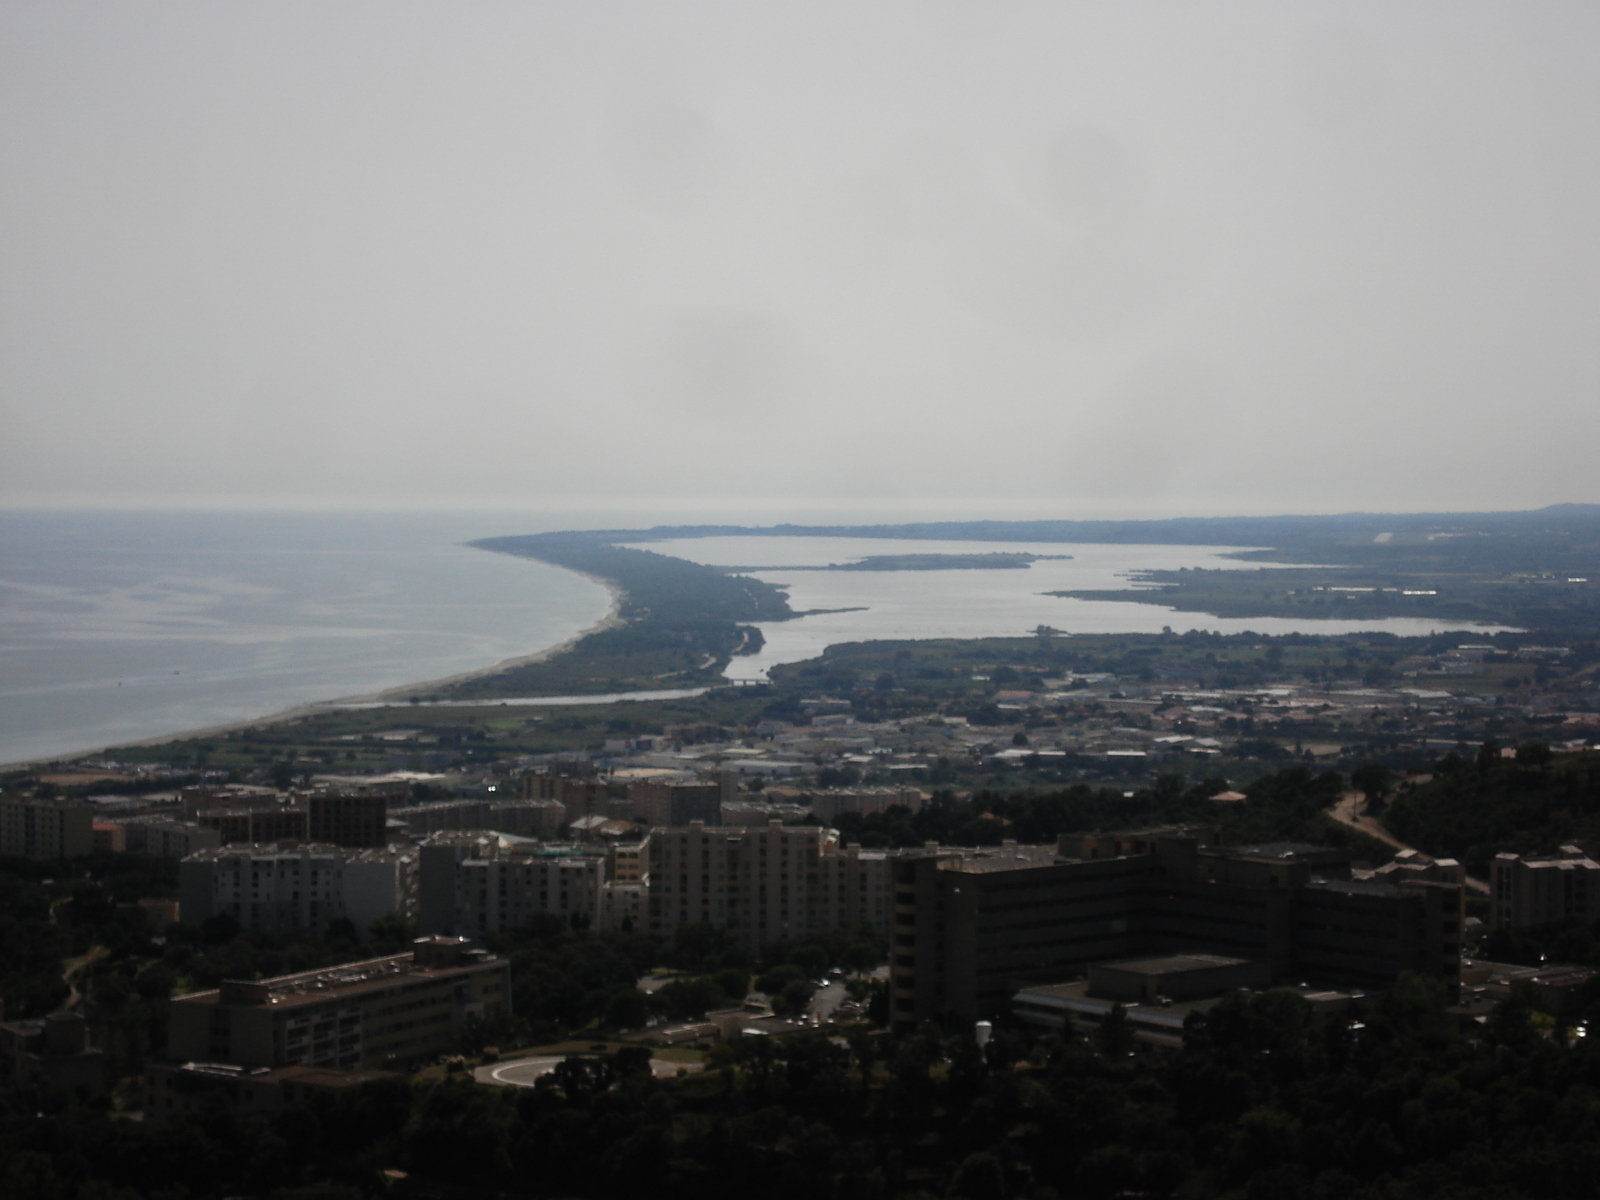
1266,1100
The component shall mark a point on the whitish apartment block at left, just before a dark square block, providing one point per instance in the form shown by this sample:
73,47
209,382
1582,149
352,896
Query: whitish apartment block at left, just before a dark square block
302,887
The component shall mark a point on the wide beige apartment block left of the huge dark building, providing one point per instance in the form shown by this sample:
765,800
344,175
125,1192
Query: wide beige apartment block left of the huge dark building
764,884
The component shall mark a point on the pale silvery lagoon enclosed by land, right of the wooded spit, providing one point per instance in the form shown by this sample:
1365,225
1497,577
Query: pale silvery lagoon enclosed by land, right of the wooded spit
977,604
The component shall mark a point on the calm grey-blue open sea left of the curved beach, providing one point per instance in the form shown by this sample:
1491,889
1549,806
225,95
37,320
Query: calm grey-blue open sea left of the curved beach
127,626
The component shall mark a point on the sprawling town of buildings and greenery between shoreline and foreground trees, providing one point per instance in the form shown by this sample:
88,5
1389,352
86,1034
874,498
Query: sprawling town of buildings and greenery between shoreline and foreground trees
894,858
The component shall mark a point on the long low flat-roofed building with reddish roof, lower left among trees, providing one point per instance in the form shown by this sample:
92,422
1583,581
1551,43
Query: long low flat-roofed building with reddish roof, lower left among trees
396,1012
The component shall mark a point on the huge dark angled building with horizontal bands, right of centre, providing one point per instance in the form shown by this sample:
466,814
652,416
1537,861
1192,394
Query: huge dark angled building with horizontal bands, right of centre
974,927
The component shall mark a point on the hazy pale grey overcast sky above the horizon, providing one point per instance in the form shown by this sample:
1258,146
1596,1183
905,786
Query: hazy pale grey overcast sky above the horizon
926,258
